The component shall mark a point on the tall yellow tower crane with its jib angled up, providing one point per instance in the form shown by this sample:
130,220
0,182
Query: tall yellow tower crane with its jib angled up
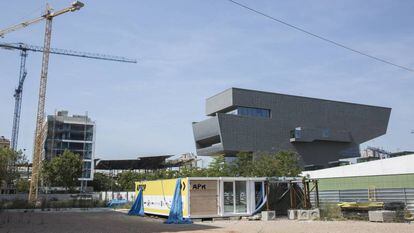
39,134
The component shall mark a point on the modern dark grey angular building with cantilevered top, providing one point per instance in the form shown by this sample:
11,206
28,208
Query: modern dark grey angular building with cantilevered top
319,130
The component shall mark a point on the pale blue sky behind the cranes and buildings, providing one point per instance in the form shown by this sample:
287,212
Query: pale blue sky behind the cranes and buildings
189,50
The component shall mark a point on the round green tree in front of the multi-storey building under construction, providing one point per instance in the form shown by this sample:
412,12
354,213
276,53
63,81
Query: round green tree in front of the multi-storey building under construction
63,170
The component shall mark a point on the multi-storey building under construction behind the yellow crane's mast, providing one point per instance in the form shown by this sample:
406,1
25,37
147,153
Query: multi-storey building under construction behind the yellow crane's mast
75,133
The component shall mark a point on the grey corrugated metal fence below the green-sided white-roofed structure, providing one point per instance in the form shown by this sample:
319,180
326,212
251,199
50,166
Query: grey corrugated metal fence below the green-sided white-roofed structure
405,195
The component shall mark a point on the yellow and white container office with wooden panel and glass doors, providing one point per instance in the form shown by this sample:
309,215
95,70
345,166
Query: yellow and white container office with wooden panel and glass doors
205,197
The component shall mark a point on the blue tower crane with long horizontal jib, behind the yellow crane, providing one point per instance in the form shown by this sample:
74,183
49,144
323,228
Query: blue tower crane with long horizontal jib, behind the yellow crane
18,93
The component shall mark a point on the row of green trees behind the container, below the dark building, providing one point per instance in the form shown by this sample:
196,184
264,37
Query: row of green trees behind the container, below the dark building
264,165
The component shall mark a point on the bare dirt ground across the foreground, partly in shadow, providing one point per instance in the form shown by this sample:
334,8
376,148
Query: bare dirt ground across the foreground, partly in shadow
102,222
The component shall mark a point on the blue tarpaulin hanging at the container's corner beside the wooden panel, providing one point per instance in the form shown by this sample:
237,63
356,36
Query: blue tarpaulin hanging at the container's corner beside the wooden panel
176,211
